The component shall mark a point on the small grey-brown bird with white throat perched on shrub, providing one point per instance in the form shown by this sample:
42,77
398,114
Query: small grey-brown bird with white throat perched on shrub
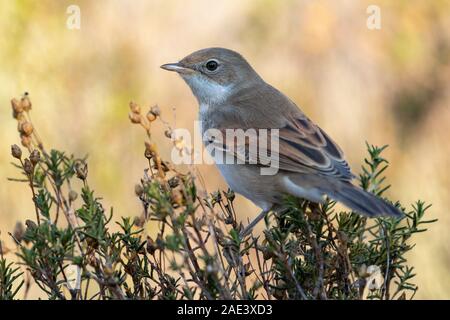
310,165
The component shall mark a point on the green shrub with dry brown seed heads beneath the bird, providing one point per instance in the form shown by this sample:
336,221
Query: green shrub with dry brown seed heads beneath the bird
72,247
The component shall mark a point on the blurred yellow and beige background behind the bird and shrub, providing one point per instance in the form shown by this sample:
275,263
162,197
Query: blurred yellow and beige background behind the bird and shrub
387,86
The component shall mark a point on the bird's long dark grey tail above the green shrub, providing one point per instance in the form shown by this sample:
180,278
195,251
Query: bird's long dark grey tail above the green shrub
362,201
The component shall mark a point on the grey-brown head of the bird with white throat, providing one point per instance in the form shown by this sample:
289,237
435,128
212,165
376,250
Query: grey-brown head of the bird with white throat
214,73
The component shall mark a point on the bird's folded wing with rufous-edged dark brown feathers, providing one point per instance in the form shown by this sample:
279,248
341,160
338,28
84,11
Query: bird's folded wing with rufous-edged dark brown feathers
303,147
